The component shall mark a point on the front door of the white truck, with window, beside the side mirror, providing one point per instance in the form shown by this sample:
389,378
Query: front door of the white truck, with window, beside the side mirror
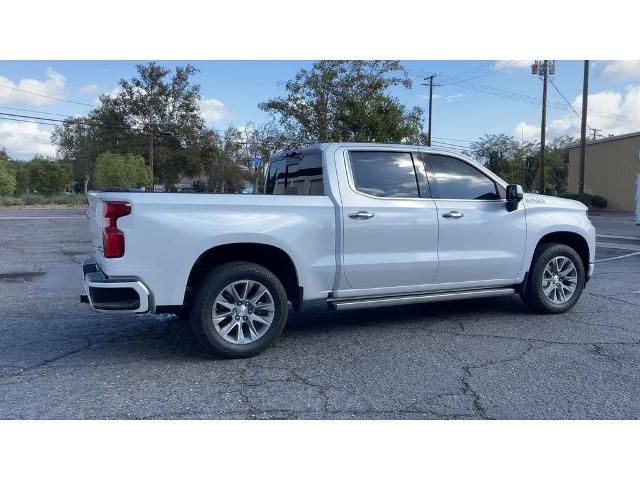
480,242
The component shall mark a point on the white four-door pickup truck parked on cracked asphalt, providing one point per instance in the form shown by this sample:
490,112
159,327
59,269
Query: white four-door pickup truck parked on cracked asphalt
349,225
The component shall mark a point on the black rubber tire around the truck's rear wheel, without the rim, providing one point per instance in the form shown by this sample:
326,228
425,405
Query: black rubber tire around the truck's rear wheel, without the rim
201,308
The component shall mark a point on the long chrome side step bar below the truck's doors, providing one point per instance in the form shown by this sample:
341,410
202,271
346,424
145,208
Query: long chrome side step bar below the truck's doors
353,303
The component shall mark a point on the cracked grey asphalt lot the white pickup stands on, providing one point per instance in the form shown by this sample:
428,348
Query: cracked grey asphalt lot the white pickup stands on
472,359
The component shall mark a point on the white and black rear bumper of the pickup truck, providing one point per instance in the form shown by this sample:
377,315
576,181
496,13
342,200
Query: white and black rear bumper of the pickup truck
122,295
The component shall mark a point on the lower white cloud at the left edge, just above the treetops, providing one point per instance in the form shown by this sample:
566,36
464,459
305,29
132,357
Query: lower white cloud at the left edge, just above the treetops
29,138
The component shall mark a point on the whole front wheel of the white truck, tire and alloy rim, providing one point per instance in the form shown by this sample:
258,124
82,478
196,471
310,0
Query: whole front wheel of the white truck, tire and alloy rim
556,279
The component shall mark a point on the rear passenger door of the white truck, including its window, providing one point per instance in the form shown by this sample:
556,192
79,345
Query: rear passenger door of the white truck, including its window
390,221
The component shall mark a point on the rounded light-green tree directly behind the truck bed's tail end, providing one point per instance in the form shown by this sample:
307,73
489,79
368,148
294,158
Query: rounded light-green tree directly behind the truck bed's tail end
113,170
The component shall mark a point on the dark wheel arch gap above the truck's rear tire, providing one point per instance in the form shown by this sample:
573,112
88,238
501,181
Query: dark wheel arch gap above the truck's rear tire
270,257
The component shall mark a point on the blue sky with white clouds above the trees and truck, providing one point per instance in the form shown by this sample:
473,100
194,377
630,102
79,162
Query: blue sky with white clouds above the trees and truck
472,98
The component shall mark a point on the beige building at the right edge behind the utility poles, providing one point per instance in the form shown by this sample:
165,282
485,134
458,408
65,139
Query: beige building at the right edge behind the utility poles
611,170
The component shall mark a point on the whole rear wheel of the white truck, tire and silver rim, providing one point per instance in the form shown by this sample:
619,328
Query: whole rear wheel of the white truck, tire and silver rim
238,310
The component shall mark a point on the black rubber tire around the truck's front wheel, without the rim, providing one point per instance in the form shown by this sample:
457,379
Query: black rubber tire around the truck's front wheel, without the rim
534,295
